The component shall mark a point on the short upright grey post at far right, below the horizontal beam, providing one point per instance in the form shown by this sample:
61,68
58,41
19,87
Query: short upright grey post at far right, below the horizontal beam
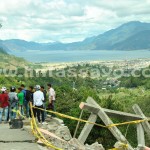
140,135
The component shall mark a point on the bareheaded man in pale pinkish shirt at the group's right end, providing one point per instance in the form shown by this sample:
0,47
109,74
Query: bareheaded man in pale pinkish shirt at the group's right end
52,97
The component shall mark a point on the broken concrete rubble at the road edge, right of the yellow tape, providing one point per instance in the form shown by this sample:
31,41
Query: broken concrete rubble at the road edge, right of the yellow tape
64,139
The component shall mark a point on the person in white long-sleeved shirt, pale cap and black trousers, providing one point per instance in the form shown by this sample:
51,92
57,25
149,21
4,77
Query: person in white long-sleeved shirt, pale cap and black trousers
38,98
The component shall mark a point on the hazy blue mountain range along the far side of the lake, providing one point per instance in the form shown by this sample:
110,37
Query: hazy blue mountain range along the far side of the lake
133,35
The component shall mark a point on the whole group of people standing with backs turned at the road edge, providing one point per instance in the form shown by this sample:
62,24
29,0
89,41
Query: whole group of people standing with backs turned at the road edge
20,98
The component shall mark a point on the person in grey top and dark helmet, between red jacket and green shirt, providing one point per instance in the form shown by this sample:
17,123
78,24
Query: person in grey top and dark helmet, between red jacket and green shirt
13,101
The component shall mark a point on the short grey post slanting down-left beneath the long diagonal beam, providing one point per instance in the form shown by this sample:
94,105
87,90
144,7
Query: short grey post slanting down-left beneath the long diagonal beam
87,128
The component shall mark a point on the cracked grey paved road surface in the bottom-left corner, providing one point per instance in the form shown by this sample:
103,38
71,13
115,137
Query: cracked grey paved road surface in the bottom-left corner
16,139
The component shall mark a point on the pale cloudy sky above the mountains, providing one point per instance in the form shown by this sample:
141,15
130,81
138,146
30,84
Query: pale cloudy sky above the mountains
67,20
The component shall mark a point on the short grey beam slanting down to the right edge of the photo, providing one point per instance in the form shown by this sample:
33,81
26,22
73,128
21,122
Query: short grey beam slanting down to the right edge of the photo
145,124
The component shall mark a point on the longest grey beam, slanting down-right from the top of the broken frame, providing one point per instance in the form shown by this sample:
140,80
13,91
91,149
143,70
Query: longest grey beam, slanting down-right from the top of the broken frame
107,121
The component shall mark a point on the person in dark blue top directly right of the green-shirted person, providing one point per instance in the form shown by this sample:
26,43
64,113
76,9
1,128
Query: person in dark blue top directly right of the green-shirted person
26,100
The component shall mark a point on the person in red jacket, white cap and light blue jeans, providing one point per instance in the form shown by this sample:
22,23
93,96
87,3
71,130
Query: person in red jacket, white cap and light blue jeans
4,104
